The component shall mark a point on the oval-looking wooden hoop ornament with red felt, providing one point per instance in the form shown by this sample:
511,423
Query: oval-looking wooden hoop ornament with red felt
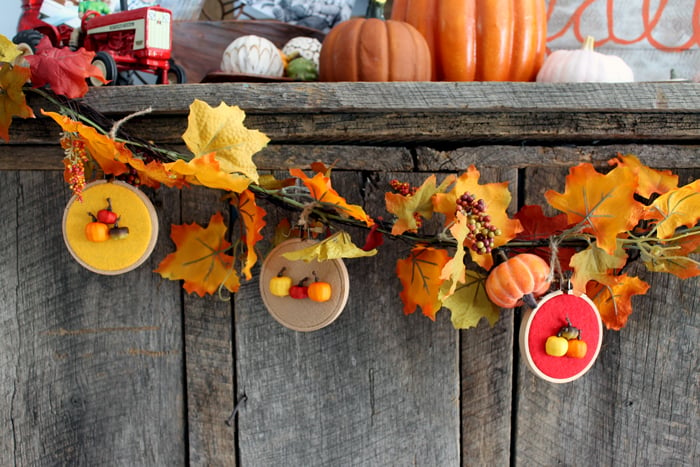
554,313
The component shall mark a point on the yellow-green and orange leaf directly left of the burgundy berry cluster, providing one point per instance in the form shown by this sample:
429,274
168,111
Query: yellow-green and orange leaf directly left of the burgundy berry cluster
404,207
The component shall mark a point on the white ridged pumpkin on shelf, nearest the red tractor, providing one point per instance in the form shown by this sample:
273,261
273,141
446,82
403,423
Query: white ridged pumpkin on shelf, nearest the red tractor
253,55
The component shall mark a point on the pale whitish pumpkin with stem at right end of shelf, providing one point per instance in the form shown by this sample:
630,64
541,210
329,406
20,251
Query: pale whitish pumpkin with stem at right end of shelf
584,66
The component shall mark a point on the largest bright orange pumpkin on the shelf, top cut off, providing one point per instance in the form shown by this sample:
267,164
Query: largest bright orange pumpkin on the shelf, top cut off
480,40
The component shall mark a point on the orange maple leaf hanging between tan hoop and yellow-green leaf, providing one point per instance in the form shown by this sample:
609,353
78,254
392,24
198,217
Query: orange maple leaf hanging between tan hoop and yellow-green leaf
420,276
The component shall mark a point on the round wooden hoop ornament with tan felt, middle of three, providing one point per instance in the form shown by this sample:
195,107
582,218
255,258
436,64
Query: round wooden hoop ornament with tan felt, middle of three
304,314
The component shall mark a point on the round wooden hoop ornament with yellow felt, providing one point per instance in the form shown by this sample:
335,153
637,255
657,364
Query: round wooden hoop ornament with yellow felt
114,255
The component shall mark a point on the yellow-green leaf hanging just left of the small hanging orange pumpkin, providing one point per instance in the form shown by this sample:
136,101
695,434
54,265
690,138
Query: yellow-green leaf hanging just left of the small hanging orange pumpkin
469,302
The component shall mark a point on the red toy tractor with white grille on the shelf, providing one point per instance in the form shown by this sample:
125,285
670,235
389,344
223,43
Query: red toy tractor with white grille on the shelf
130,46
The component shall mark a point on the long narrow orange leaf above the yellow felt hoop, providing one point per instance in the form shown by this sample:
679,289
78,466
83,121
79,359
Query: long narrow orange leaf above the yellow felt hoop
111,156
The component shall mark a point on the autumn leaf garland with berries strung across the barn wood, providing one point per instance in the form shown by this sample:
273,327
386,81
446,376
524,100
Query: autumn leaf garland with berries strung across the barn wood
607,219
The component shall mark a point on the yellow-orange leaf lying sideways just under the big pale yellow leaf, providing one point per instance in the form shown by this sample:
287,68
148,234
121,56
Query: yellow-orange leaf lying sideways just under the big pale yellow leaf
206,170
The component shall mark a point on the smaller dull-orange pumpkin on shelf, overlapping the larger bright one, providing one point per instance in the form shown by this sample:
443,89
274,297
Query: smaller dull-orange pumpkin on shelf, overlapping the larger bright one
372,49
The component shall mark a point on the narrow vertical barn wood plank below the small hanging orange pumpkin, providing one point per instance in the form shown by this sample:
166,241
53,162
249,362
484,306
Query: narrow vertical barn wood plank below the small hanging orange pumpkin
486,369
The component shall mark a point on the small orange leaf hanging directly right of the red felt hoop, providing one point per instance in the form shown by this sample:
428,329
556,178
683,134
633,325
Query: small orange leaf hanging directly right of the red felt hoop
614,298
